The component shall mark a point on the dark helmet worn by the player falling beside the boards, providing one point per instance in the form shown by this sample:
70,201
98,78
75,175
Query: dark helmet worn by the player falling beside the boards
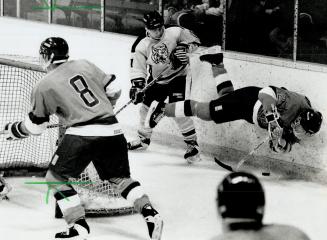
311,121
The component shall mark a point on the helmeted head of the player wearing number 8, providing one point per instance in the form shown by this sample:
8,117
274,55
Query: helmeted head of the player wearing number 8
53,52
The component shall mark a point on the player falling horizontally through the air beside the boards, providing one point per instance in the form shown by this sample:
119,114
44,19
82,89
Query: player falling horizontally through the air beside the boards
288,116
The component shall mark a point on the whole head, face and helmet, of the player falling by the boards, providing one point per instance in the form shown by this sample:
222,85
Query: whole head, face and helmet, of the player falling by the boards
307,123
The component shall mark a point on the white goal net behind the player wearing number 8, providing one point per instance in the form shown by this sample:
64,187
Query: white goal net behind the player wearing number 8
18,75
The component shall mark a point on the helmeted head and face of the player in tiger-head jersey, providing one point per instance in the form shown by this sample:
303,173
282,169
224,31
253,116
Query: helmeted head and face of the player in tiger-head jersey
154,25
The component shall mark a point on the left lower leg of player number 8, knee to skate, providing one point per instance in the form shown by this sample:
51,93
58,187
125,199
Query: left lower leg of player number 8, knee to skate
70,205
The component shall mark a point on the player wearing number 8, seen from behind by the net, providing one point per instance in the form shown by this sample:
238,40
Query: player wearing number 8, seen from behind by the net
83,97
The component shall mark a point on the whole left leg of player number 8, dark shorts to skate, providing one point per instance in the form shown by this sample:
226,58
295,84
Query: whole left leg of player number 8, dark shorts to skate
62,167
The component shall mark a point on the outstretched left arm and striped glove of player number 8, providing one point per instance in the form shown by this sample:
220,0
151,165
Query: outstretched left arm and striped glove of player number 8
35,122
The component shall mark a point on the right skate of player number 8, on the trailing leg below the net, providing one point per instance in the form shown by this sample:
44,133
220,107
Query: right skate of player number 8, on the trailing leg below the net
153,221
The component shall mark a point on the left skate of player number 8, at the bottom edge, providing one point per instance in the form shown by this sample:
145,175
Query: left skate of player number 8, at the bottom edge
79,231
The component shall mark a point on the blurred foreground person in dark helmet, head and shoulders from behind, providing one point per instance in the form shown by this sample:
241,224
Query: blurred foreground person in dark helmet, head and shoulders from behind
241,206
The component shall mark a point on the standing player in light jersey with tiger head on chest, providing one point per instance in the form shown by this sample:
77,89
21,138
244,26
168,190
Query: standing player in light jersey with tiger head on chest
162,49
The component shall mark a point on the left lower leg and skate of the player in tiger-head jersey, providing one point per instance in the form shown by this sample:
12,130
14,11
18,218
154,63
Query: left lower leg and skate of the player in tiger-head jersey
144,133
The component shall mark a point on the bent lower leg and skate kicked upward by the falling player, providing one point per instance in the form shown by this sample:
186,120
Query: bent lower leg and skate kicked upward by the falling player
223,82
